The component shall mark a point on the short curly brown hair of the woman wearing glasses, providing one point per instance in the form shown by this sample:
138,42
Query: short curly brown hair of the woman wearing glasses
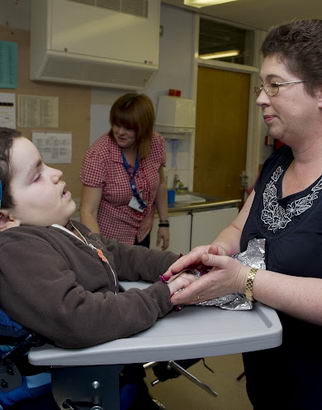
299,45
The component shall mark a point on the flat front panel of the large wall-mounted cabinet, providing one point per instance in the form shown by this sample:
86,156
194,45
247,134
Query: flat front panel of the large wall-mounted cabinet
83,29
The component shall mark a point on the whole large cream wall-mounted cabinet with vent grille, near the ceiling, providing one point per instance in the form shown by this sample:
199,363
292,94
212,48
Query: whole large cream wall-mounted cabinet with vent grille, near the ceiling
74,41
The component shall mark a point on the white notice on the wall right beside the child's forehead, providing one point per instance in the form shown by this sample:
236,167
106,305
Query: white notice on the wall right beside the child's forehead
54,148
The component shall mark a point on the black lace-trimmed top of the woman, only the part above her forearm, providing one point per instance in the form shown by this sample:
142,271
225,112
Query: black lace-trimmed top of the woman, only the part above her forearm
291,225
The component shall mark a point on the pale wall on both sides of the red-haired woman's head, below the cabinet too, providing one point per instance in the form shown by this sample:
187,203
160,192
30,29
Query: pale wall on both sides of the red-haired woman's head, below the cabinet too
175,71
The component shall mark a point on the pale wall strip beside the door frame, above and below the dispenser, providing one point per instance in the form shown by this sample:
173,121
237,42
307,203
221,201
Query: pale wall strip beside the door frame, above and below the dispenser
176,71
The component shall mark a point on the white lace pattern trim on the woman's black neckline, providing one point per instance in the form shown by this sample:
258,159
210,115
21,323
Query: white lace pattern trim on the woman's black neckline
273,215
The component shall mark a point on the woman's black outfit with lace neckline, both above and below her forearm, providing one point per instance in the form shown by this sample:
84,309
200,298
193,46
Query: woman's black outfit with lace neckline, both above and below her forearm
288,377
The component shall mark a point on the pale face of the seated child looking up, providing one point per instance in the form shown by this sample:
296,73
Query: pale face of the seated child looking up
39,193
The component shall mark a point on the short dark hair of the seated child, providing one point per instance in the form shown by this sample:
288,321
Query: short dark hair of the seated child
7,135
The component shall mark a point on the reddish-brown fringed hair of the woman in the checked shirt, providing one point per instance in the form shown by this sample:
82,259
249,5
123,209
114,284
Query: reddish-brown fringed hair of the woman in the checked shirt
135,112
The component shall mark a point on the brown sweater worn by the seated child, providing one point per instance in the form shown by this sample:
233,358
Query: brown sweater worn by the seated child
57,286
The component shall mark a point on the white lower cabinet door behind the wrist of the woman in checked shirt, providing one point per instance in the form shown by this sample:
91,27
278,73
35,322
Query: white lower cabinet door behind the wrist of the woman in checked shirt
180,230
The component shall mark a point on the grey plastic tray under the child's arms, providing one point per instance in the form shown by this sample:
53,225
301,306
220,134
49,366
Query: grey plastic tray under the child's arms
193,332
